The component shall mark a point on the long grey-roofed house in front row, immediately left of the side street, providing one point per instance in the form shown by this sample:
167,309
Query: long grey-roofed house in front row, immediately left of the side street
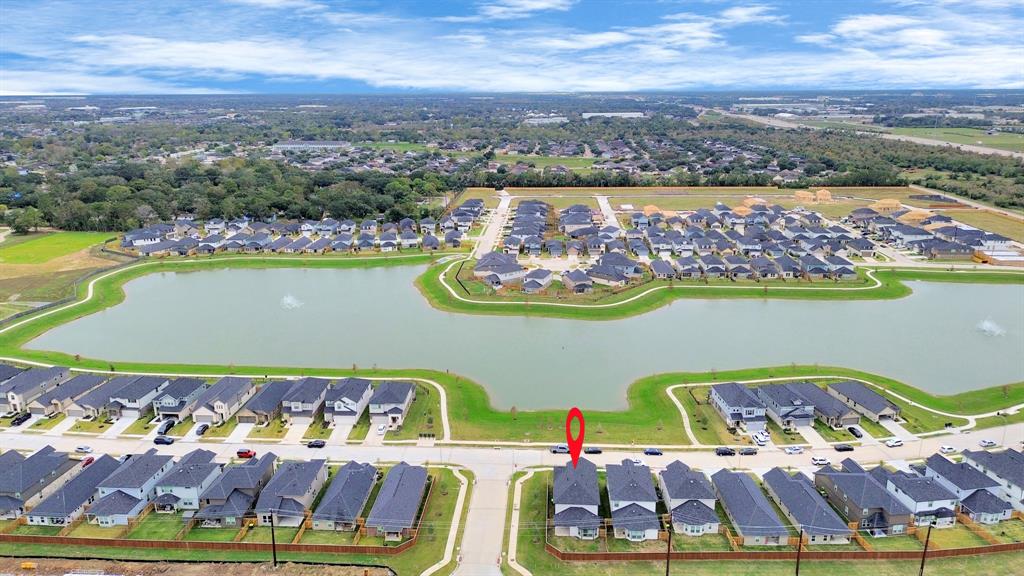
395,511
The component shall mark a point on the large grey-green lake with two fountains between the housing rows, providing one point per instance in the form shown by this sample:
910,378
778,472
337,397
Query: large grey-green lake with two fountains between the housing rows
944,339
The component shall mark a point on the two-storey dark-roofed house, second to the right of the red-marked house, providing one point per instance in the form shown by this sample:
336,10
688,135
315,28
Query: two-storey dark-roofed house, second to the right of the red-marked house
691,500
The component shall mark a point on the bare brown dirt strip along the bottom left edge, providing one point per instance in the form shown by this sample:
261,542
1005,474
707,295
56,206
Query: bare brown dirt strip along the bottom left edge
61,567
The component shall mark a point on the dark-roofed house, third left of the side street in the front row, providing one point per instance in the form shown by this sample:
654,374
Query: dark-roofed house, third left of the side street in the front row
292,490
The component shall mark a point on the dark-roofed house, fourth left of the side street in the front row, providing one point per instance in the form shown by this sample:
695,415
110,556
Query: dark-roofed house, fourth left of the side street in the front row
232,497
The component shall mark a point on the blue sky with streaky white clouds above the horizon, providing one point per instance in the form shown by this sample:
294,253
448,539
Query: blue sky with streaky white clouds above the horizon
363,47
